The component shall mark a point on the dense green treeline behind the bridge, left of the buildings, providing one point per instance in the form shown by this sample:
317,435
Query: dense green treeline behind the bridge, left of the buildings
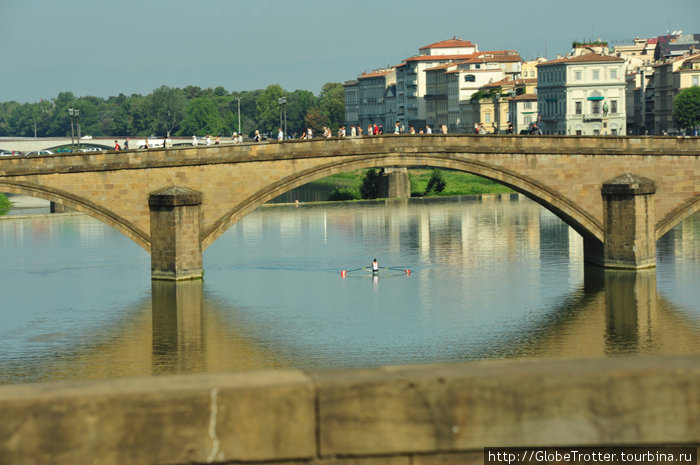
177,112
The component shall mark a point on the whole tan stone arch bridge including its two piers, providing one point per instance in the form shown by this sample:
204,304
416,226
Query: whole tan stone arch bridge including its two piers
620,193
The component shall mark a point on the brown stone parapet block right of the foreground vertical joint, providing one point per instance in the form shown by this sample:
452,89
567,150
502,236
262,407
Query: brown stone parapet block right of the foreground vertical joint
467,407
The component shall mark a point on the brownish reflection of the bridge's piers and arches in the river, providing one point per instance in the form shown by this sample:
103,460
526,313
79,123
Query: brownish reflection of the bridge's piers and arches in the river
616,312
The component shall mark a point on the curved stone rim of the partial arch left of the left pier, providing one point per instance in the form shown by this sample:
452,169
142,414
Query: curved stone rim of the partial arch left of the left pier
77,203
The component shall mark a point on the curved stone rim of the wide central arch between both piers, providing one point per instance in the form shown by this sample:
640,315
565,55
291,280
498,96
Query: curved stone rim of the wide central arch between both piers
580,220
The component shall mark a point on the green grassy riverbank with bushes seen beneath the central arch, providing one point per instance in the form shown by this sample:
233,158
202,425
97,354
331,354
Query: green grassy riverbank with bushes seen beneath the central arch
457,183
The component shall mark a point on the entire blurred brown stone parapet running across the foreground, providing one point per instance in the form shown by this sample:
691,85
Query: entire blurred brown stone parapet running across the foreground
439,414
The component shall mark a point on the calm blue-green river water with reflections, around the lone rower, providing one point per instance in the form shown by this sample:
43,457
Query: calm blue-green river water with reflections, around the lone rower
491,277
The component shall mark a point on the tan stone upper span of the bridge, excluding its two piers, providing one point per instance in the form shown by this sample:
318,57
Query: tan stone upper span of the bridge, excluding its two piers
564,173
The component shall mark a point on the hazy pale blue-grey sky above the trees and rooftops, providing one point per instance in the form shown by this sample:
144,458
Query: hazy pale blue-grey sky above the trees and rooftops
107,47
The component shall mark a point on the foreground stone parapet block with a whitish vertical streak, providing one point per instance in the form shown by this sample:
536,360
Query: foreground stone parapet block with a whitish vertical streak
161,420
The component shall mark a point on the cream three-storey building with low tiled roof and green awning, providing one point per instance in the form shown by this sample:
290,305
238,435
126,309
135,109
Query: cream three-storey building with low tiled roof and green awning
582,95
